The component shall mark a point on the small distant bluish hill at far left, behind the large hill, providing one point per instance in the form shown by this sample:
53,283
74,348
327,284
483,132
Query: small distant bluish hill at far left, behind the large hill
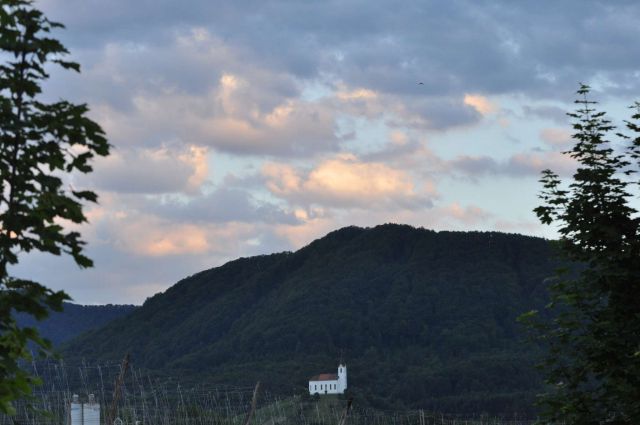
74,320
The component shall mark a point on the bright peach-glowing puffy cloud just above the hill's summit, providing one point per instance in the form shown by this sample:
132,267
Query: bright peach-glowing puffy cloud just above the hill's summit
345,181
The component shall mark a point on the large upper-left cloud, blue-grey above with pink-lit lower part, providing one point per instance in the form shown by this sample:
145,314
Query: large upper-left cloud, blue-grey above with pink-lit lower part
195,88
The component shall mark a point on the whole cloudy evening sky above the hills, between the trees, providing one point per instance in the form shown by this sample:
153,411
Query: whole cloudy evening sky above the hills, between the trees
249,127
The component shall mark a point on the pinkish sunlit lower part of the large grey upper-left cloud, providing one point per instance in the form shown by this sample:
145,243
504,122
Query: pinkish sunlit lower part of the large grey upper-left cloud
230,117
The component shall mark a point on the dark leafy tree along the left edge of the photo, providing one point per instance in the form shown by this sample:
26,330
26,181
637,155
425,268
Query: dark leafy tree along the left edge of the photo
39,144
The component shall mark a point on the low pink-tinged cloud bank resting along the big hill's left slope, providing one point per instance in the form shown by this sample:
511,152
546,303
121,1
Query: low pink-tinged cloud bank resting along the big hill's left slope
144,255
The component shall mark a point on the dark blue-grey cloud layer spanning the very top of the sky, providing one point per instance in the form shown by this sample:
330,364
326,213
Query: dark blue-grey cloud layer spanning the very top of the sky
539,48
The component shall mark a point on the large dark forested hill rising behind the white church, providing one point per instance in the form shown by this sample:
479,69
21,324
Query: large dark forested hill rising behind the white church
423,319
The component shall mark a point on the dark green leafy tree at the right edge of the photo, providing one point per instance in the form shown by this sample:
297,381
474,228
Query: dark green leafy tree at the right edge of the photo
593,363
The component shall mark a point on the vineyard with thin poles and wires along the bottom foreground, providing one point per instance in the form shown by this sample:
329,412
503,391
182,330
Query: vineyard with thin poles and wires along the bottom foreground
147,400
